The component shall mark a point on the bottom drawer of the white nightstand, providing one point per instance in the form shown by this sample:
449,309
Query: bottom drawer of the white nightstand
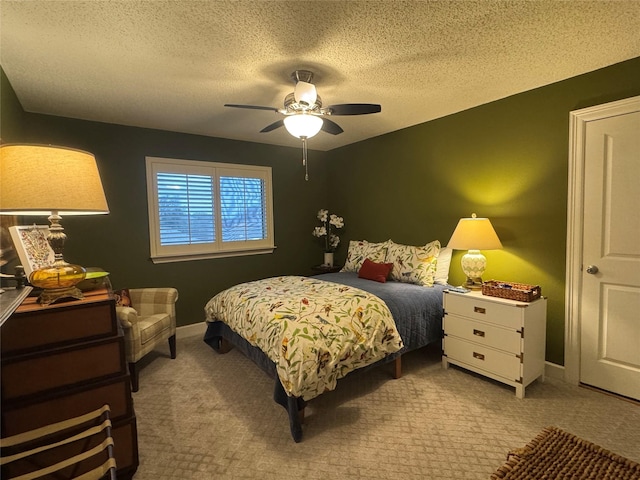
484,358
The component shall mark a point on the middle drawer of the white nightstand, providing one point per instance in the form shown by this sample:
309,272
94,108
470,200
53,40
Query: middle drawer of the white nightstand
483,333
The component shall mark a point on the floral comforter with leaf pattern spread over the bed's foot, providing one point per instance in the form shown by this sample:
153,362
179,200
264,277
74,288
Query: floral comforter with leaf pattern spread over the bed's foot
313,330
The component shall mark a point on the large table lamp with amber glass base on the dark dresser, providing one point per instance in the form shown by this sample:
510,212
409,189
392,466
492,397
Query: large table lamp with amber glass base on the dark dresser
54,181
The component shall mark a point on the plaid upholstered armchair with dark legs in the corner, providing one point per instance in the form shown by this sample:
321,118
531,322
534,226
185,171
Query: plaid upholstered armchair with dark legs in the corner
149,320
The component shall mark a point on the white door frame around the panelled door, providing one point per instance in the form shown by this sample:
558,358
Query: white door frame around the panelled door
578,121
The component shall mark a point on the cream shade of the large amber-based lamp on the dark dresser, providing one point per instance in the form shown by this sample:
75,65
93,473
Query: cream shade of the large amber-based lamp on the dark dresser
38,180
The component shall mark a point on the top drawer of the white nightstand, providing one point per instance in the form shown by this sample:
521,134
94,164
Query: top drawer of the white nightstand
482,309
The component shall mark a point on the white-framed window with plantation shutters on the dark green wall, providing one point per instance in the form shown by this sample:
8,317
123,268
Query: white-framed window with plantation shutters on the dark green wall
207,210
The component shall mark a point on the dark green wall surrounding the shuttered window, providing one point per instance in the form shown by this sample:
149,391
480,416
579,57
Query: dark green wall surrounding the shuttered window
119,242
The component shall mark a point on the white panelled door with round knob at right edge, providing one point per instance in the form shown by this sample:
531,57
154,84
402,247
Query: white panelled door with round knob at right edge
610,278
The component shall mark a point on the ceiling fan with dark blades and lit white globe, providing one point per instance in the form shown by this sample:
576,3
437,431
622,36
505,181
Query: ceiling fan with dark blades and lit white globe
304,115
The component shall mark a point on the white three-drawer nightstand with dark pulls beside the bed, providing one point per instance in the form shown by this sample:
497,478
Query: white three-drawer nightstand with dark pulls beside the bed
495,337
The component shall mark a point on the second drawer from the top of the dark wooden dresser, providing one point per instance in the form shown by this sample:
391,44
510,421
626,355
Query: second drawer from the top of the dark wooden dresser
61,368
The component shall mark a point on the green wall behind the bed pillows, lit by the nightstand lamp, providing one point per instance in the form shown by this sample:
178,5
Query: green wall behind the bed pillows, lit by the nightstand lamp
506,160
